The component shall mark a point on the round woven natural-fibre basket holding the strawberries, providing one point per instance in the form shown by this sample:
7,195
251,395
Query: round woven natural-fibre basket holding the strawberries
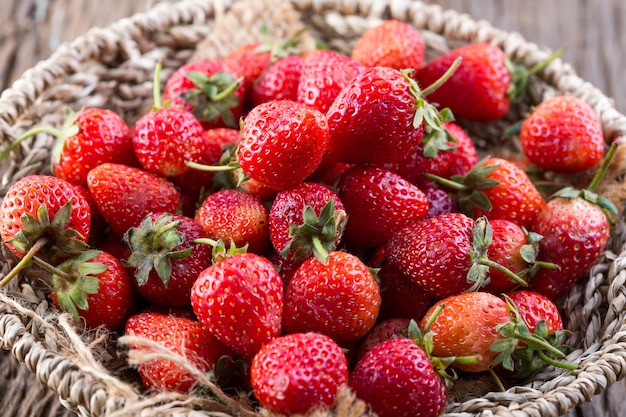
112,68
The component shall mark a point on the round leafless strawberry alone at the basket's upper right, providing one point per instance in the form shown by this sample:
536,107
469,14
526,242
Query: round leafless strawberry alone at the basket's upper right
563,134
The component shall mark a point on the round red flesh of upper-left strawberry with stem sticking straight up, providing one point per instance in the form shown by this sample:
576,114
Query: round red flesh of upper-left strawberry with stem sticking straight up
165,139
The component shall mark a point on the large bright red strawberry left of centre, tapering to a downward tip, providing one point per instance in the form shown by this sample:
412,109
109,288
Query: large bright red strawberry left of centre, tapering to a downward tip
240,301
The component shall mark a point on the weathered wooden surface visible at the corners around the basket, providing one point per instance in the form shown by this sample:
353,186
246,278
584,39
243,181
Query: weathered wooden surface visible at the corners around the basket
591,31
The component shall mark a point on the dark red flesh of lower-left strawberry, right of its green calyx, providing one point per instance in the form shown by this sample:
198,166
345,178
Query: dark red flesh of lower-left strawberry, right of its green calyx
114,302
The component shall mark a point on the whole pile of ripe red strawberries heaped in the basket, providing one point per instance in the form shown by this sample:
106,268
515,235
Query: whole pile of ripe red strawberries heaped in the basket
309,221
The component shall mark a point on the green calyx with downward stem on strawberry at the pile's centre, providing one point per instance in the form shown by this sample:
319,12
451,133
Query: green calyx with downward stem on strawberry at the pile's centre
317,234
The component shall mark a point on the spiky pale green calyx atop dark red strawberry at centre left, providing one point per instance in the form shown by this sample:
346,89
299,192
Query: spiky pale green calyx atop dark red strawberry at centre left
153,245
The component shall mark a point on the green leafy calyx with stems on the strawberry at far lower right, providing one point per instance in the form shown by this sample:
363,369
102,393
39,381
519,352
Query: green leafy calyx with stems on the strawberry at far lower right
525,352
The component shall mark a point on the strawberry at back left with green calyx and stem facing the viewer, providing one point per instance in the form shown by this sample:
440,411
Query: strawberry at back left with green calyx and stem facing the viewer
210,90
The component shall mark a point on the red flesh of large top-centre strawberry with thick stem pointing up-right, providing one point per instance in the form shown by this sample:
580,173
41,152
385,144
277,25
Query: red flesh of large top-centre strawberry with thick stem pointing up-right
371,119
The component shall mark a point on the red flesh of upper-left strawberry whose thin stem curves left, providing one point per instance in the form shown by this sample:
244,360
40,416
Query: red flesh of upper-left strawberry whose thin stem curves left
103,136
